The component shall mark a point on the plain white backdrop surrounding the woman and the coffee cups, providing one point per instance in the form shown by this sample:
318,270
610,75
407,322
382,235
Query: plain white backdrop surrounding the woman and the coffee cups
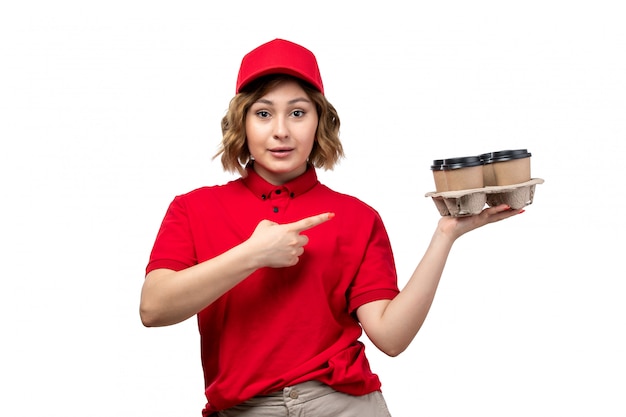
109,109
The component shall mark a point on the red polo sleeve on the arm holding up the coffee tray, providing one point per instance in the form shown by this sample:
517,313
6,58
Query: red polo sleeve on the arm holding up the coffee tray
377,277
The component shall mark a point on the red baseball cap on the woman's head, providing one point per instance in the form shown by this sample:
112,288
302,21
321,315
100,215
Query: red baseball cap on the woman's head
279,57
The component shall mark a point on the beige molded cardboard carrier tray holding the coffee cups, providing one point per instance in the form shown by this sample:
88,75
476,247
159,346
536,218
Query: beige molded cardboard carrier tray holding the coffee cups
473,201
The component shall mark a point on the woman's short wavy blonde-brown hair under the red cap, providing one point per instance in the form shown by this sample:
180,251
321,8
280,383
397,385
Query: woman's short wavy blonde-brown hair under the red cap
235,155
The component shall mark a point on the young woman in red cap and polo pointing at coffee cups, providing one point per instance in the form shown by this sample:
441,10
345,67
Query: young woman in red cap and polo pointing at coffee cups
282,272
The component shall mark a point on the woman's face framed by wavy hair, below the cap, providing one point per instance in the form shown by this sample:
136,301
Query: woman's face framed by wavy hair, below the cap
280,131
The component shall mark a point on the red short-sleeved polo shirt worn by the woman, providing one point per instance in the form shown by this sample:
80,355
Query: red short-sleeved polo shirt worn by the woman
281,326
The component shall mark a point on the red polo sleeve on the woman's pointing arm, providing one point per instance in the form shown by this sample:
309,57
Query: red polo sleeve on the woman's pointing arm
173,247
